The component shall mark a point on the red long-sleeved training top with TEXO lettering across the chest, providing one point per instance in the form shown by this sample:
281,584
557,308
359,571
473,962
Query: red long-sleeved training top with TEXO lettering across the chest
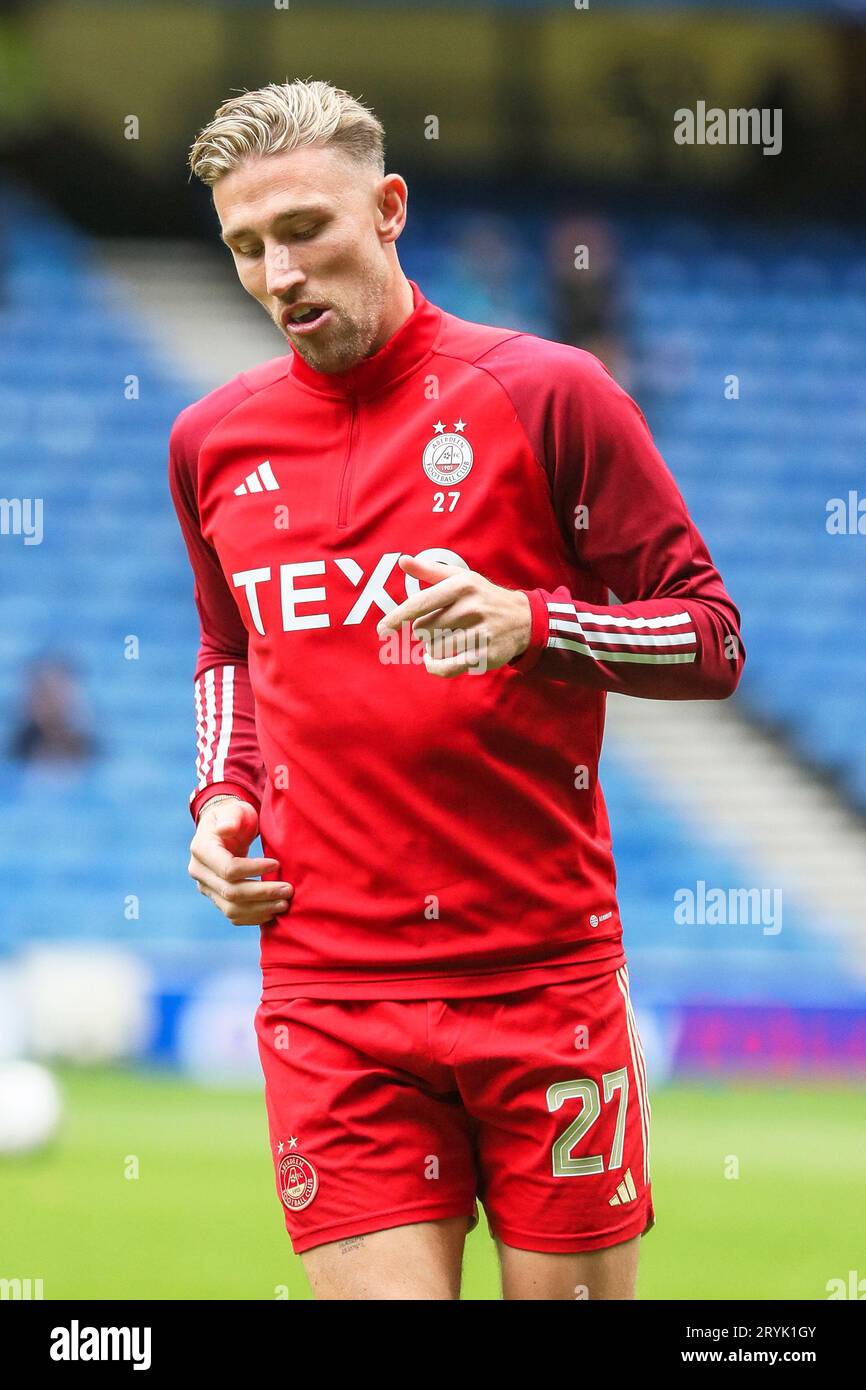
436,828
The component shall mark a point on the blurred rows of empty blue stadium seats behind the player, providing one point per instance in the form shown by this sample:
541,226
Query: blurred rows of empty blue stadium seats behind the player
85,409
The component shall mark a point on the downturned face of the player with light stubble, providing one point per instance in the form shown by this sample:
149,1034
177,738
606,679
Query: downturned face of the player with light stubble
313,230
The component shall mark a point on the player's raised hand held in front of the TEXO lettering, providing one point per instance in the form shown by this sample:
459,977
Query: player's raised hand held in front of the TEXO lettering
466,623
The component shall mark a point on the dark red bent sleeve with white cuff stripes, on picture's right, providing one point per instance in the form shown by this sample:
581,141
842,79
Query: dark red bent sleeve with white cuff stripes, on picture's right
623,521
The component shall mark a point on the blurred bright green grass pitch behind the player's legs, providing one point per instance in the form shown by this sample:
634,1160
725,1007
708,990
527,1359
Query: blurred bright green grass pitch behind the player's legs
202,1221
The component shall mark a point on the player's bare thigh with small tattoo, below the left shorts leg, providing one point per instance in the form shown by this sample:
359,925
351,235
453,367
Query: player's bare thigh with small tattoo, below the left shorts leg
411,1263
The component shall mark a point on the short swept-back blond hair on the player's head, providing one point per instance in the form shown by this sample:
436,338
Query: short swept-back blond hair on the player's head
284,116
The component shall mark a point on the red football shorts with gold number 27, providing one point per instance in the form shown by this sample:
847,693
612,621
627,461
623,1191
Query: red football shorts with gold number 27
384,1113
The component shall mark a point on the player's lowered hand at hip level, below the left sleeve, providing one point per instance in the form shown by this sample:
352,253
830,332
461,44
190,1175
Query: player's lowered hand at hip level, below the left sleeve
222,872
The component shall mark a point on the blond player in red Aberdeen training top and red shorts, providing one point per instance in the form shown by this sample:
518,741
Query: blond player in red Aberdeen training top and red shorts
405,533
